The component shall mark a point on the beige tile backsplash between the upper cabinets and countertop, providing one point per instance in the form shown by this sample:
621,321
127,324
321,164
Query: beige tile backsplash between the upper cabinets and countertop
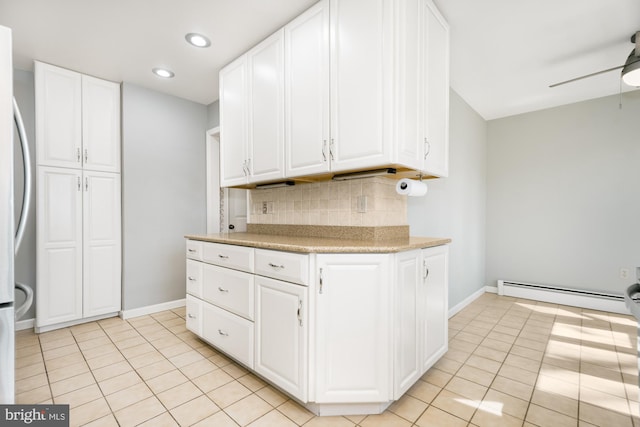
364,202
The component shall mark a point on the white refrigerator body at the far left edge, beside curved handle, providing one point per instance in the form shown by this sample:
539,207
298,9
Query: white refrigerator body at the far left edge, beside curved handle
7,223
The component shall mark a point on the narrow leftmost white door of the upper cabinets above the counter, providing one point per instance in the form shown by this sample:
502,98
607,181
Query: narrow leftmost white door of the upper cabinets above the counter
233,123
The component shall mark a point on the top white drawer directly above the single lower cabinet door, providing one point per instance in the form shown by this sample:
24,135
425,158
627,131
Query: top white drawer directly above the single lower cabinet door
285,266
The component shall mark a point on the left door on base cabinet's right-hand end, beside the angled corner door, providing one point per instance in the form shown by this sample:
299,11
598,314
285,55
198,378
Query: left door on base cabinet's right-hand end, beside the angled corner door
407,327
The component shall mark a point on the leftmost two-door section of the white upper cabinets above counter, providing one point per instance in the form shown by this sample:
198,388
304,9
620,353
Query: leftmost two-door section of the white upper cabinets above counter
252,115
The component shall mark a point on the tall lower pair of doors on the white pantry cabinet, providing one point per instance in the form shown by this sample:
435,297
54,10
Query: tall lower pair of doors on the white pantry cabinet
79,245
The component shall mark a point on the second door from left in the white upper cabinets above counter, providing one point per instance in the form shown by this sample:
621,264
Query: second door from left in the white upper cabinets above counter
265,70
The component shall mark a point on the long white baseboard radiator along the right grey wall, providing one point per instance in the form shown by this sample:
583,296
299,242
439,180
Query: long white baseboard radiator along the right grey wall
565,296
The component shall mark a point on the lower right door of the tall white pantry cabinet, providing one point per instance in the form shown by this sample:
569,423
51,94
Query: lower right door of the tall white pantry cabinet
102,243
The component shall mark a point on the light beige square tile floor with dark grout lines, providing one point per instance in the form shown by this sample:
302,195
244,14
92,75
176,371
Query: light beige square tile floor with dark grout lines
510,362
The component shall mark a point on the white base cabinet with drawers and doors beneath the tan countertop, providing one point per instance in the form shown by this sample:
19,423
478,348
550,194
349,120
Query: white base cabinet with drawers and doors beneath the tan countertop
342,333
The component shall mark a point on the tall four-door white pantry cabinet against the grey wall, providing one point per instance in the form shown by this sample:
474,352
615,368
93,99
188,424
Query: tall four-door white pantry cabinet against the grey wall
78,198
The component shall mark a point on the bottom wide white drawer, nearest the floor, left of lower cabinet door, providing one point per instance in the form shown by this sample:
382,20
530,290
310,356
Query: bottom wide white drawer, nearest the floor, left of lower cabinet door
228,332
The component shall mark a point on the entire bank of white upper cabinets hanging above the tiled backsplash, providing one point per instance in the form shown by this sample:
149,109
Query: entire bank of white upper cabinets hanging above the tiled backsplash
365,86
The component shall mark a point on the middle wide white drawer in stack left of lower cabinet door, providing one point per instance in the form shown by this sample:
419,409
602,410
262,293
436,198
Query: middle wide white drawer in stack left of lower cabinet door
229,289
